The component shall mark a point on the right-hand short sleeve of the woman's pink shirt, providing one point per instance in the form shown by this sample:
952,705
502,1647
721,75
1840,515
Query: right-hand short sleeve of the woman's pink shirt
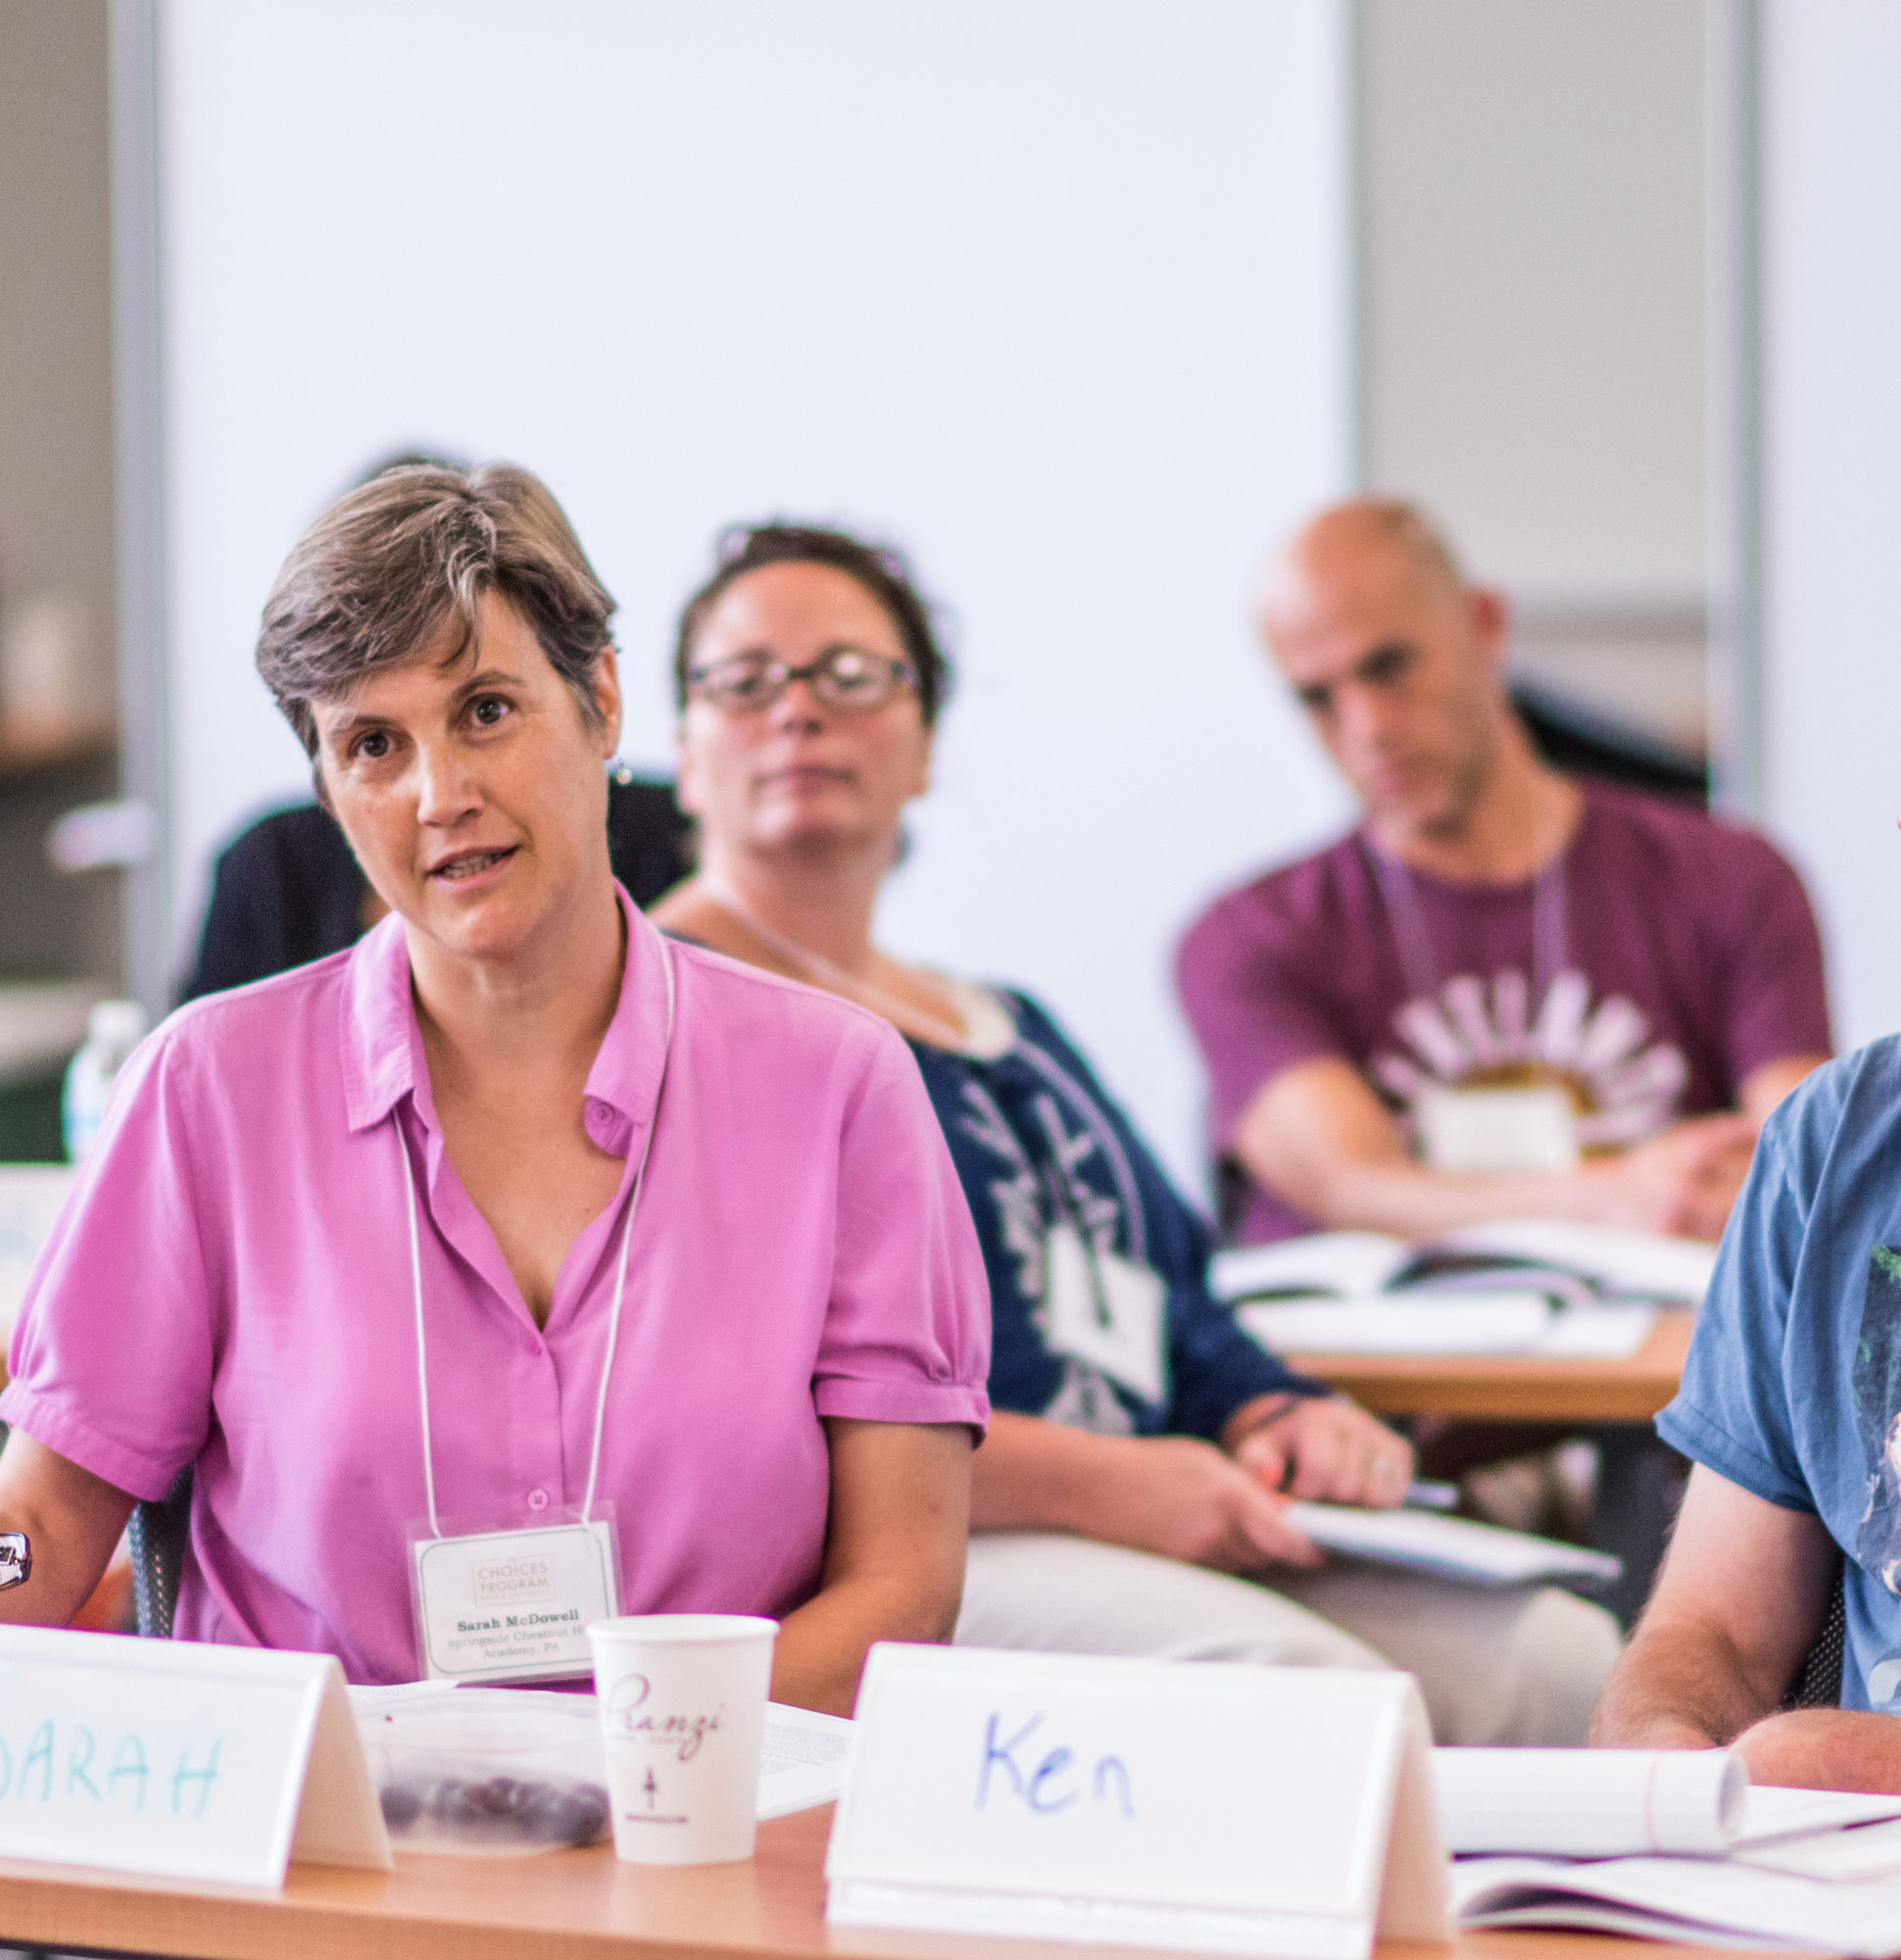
908,1330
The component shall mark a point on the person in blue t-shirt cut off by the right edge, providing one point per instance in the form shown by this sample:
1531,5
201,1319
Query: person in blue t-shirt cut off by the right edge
1790,1410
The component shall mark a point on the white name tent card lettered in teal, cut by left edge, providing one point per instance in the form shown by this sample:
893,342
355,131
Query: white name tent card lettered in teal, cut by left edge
179,1759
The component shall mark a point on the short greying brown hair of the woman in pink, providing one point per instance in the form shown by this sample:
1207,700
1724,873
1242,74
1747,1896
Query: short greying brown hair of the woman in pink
383,571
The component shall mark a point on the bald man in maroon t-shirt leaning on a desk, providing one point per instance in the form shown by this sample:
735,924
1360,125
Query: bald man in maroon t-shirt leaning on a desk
1504,993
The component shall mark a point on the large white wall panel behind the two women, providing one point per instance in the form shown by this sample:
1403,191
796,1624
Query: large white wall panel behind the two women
1053,295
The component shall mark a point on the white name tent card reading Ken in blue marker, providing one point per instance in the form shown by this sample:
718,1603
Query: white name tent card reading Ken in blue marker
1212,1808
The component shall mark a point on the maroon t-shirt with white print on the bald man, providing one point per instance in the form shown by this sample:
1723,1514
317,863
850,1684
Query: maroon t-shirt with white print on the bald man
1661,963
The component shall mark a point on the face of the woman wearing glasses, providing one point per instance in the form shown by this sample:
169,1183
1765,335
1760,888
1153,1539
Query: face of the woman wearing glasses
801,773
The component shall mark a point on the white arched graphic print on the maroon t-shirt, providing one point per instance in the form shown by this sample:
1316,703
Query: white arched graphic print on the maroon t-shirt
1624,1085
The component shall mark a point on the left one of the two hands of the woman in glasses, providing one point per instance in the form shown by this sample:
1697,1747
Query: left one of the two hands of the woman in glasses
1187,1500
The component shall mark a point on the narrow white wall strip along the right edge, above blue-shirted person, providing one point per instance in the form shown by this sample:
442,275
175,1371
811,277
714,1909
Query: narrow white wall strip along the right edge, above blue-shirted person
1831,244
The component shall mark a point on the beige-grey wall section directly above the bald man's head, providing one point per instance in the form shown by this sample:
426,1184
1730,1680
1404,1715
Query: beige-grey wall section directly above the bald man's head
1534,277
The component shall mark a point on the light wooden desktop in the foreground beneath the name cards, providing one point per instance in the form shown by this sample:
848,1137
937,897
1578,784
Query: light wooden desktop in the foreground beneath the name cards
563,1906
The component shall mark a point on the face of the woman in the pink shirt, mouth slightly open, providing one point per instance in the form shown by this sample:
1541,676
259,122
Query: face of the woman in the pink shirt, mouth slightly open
471,787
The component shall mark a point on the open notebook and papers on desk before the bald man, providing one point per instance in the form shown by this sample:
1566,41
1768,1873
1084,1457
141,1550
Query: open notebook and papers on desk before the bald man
1520,1287
